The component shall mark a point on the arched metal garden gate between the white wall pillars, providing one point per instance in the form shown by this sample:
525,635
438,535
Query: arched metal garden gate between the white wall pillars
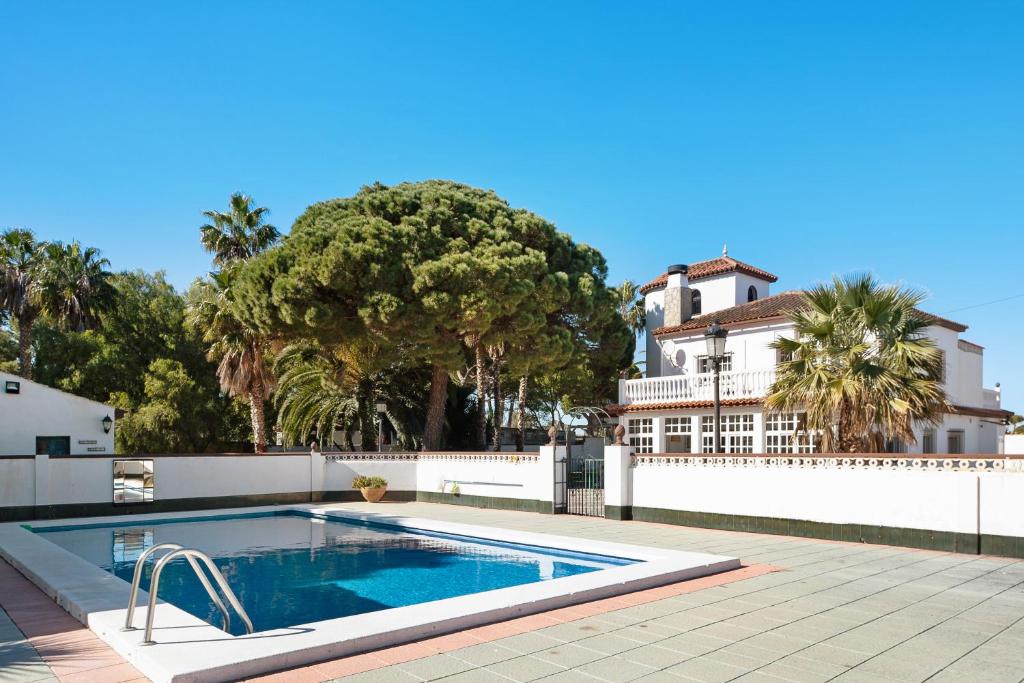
581,487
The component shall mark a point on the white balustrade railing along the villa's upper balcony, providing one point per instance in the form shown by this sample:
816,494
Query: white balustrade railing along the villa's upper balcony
738,385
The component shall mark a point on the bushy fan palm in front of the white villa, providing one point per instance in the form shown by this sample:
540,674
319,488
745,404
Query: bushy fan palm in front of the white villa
861,366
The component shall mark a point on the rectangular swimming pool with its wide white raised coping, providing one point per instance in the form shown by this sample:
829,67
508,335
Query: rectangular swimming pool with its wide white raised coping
373,567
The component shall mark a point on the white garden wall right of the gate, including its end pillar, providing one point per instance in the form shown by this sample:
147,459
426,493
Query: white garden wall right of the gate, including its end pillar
958,503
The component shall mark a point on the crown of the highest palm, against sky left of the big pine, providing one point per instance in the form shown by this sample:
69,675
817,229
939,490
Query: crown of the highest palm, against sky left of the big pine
238,234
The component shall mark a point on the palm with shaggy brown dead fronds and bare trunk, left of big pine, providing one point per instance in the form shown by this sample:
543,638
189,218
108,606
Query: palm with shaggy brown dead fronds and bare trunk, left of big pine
240,353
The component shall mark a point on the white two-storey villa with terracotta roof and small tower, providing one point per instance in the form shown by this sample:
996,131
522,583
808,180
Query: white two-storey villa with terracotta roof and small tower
671,409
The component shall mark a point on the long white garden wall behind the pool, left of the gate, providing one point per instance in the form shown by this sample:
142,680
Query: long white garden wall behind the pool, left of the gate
42,487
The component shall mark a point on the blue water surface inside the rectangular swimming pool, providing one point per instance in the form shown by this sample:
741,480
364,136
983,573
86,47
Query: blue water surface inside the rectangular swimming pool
291,568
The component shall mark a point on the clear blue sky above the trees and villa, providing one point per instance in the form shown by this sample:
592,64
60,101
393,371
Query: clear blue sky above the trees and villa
813,138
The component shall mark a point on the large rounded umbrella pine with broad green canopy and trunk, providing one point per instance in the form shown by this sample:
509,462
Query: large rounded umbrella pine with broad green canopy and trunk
436,269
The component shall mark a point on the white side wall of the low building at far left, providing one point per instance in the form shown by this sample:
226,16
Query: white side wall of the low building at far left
41,411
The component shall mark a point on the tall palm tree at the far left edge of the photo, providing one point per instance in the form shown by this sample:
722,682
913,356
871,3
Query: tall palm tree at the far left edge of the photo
20,255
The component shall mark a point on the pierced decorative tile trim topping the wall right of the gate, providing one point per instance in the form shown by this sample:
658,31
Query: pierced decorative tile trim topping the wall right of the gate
867,462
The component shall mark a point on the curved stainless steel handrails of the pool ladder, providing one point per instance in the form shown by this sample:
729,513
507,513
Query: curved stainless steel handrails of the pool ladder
176,551
